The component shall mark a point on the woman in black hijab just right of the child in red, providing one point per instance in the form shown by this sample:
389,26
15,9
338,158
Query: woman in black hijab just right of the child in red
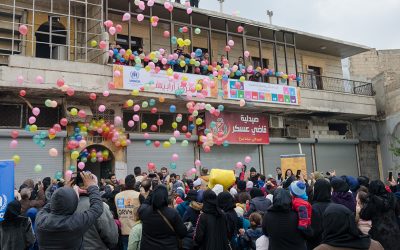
321,200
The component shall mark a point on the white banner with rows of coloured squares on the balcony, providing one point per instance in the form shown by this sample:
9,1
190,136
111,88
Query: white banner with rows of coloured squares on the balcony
262,92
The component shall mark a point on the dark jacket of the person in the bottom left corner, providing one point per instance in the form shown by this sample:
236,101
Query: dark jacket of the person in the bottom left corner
16,234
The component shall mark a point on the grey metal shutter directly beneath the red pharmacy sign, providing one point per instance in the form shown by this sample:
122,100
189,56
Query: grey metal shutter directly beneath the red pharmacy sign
227,157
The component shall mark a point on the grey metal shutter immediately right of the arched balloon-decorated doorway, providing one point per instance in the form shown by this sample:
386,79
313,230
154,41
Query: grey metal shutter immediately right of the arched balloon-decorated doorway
138,154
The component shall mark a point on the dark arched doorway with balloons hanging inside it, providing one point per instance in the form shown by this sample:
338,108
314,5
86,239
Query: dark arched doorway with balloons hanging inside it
99,160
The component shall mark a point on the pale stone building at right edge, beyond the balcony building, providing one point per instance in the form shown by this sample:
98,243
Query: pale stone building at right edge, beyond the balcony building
382,68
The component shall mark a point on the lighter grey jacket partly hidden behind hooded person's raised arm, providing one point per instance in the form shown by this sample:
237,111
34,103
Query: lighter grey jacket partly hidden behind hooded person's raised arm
103,234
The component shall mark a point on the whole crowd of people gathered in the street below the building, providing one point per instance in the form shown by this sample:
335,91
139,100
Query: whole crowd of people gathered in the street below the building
159,210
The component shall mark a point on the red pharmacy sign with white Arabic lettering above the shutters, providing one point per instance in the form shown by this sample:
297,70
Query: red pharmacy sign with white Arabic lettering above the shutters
237,128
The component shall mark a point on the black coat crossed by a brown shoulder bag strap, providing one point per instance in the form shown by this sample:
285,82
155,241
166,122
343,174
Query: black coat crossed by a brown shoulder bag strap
156,234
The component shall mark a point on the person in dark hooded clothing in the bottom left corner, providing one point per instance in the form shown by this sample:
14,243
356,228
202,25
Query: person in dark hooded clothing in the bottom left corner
16,231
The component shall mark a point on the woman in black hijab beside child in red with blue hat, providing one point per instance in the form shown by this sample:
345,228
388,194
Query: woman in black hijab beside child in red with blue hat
280,224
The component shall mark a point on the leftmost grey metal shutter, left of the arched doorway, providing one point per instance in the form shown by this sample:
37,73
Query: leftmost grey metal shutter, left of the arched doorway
31,154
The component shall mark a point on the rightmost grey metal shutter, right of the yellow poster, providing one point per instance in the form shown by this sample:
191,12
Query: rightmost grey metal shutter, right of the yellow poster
339,157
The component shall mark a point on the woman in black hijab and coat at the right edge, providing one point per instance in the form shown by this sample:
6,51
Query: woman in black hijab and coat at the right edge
380,209
